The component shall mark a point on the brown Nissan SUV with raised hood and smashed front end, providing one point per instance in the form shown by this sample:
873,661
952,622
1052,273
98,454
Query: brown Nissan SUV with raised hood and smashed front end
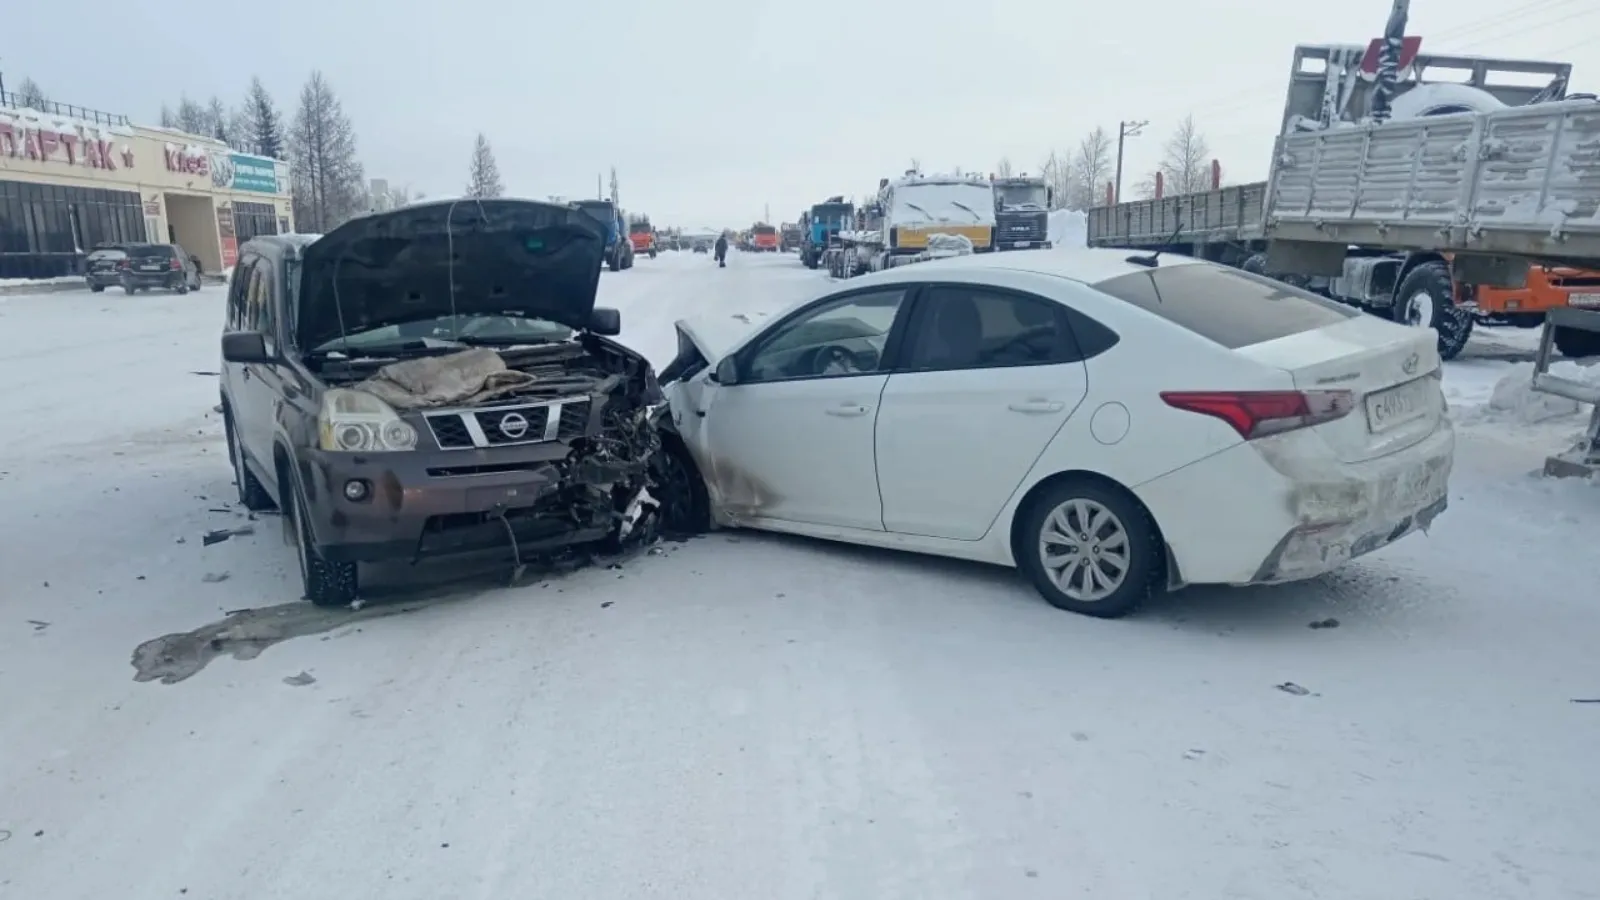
439,379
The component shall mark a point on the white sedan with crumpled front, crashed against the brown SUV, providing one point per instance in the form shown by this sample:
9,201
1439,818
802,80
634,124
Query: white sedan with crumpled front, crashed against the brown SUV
1113,425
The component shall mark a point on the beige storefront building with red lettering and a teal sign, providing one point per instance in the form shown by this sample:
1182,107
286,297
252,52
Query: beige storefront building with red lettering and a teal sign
73,179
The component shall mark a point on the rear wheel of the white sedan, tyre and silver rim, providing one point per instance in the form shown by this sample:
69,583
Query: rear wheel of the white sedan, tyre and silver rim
1090,548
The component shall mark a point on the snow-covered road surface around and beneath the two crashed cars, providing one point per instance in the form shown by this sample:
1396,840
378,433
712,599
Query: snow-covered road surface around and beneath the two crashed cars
751,717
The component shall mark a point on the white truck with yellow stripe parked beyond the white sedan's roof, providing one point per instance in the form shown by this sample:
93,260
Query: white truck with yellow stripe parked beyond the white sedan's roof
906,220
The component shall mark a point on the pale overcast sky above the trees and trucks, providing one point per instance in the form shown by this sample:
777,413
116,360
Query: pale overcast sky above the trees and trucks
713,110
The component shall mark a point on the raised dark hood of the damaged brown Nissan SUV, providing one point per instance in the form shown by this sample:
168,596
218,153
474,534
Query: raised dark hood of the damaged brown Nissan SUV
466,257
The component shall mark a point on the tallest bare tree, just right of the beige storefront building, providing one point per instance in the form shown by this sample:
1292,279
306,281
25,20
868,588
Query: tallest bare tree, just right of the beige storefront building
327,179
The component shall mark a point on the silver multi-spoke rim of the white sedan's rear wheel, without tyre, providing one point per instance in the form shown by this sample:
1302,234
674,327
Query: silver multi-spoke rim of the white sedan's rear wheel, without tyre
1084,550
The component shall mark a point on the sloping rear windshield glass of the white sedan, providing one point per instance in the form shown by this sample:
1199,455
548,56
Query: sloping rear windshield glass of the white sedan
1230,307
